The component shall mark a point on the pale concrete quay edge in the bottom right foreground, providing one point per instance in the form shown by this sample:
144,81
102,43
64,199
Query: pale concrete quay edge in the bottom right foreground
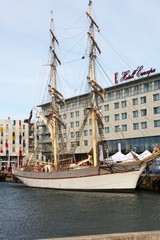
153,235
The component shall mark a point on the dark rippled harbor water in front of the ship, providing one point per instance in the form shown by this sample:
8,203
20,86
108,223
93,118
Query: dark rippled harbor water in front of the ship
29,213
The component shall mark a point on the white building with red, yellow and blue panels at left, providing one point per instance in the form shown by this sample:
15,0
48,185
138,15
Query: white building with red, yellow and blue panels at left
13,140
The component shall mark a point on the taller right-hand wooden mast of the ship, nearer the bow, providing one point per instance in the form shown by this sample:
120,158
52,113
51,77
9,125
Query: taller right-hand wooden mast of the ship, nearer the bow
96,90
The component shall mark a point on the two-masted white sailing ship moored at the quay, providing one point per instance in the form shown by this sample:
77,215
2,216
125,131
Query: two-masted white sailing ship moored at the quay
88,174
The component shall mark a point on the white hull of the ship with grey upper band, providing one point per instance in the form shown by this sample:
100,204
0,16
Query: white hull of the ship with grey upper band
90,179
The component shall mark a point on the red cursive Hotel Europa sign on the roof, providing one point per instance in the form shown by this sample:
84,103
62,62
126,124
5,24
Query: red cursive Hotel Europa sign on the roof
138,72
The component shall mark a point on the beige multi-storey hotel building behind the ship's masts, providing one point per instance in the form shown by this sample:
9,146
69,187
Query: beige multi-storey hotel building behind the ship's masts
130,113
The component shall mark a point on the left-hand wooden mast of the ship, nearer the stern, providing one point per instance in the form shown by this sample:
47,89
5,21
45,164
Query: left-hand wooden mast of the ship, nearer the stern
54,94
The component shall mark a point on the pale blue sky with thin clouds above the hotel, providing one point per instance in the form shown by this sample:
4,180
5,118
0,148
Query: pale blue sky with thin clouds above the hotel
129,37
